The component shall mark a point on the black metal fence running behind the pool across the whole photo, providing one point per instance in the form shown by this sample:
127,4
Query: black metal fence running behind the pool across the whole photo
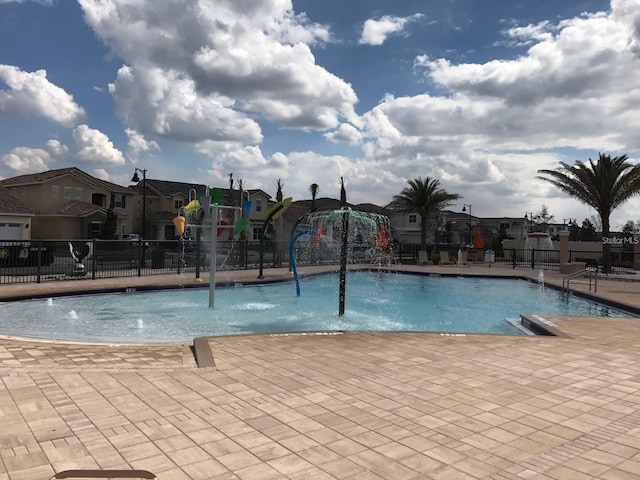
48,260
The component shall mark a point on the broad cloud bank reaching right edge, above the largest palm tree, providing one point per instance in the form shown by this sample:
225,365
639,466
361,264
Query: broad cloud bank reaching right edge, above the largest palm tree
577,86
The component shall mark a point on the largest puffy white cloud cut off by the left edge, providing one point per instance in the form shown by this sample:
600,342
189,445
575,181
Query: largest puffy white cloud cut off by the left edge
30,94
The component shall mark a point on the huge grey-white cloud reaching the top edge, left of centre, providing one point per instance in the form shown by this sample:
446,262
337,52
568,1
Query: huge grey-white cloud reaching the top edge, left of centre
207,71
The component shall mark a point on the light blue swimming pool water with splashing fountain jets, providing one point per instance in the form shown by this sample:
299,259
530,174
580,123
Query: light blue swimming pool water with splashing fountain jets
374,302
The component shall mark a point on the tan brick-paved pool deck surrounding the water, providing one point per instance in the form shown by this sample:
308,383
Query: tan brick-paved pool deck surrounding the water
397,406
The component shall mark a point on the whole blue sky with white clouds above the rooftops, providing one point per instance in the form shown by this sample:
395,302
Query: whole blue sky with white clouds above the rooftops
479,94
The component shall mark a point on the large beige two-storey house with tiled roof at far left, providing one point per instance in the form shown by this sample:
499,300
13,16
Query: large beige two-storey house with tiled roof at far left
68,203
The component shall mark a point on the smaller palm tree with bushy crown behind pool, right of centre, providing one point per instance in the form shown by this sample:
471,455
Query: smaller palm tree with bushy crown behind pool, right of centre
424,197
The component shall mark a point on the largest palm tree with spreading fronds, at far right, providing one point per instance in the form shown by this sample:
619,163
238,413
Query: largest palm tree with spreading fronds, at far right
604,184
